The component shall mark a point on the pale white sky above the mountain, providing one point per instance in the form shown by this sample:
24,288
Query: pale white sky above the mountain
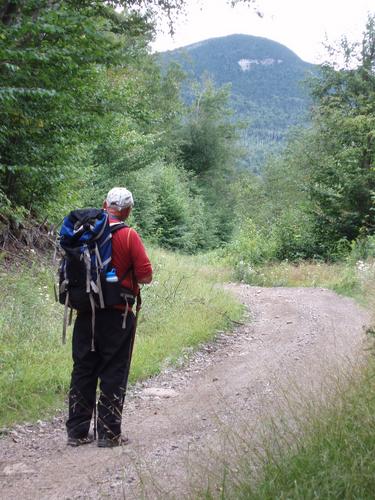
300,25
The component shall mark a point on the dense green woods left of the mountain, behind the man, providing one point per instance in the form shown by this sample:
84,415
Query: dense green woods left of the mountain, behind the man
85,106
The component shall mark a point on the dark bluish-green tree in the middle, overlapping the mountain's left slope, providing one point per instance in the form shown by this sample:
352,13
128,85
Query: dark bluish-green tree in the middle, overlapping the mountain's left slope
207,146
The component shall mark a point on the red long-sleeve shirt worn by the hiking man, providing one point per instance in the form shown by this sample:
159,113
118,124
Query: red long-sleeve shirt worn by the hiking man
128,252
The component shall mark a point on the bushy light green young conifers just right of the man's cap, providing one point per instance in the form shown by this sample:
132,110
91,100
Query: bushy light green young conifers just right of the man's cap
170,209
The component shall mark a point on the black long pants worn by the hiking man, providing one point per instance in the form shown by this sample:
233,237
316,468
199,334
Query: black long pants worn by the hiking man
109,364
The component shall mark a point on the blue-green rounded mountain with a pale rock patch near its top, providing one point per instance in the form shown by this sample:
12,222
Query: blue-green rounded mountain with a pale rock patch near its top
266,80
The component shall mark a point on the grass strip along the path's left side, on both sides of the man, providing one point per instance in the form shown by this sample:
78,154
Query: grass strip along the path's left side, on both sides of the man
181,309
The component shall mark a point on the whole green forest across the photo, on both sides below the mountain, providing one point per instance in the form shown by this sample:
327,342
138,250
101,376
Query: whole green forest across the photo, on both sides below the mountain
84,105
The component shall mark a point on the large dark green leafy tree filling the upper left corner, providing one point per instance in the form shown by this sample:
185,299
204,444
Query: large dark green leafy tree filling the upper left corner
54,63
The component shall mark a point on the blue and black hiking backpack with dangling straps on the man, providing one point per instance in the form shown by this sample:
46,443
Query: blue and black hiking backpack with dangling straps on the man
85,239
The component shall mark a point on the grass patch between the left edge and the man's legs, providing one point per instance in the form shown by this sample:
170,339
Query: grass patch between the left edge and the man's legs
34,366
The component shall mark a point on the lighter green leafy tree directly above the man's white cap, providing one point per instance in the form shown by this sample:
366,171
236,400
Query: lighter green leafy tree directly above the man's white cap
138,132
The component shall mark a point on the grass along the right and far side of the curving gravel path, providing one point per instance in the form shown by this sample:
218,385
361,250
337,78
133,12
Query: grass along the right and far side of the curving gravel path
331,453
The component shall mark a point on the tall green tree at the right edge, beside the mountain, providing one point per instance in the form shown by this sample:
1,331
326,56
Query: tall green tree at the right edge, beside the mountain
342,174
